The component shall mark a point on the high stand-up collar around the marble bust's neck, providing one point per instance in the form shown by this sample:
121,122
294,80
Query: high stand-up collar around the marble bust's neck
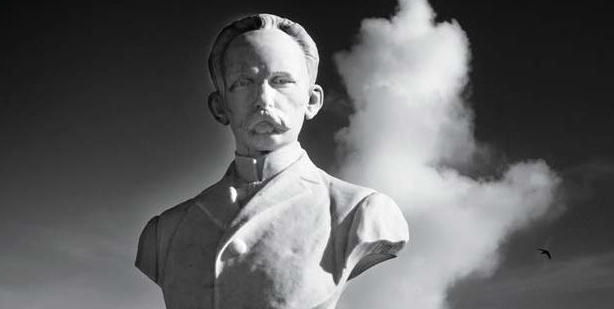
249,169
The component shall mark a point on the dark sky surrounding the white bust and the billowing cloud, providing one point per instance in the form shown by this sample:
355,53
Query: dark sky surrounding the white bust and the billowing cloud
103,123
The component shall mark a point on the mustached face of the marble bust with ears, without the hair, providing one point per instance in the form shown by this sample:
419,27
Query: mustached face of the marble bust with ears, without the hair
267,92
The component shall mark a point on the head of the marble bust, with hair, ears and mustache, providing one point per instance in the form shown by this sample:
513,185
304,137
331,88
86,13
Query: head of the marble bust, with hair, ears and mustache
264,69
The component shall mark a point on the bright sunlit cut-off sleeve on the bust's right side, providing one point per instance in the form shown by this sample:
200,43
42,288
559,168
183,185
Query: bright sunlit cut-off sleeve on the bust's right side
377,233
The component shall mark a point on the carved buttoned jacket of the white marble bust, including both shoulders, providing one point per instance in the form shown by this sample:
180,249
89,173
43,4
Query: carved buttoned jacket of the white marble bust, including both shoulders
294,244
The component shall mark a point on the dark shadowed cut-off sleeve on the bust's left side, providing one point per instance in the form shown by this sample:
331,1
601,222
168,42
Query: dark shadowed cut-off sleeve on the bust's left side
146,256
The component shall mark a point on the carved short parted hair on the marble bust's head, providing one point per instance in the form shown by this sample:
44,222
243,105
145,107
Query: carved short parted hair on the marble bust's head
257,22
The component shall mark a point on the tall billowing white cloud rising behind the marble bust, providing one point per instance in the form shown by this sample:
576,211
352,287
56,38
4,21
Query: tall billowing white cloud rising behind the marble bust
405,76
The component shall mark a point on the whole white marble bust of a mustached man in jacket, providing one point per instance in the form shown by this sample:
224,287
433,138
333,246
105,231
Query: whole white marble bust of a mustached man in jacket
276,231
